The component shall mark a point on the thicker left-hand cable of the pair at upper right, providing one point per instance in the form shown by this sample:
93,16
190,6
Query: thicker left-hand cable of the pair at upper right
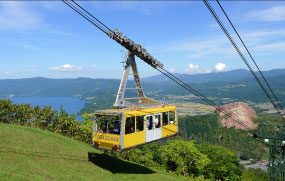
241,55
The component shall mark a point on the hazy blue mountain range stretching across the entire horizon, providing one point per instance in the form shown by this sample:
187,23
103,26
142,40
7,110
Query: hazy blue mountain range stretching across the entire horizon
158,85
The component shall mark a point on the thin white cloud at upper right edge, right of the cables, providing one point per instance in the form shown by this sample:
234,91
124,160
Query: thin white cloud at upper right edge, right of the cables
272,14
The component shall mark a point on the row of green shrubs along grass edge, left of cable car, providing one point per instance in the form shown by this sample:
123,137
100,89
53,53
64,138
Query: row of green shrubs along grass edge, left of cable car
44,118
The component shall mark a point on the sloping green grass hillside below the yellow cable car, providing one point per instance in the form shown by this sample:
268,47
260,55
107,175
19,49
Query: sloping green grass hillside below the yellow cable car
28,153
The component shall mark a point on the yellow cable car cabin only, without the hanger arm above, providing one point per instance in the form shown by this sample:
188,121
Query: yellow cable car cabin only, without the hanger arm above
120,129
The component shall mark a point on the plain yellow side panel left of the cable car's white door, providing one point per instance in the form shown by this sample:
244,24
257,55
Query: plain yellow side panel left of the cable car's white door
133,139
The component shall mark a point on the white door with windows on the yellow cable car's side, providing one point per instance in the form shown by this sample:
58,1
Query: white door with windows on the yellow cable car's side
153,127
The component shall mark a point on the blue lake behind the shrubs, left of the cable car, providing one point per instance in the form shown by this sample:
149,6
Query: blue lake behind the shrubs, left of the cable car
71,105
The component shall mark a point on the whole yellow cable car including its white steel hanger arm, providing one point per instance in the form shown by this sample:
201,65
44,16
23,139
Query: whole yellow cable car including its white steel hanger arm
130,124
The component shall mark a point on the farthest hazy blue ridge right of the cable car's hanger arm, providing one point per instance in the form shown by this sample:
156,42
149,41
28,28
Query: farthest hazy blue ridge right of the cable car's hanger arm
229,76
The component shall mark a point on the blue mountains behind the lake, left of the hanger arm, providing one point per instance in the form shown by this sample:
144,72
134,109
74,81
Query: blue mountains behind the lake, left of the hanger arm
40,86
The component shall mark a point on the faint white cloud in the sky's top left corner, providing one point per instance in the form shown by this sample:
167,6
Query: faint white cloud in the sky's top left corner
14,15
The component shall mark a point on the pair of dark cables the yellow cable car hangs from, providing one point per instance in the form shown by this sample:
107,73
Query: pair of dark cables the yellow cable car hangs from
178,81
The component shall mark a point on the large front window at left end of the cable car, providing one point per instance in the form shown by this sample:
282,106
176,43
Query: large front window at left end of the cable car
108,124
